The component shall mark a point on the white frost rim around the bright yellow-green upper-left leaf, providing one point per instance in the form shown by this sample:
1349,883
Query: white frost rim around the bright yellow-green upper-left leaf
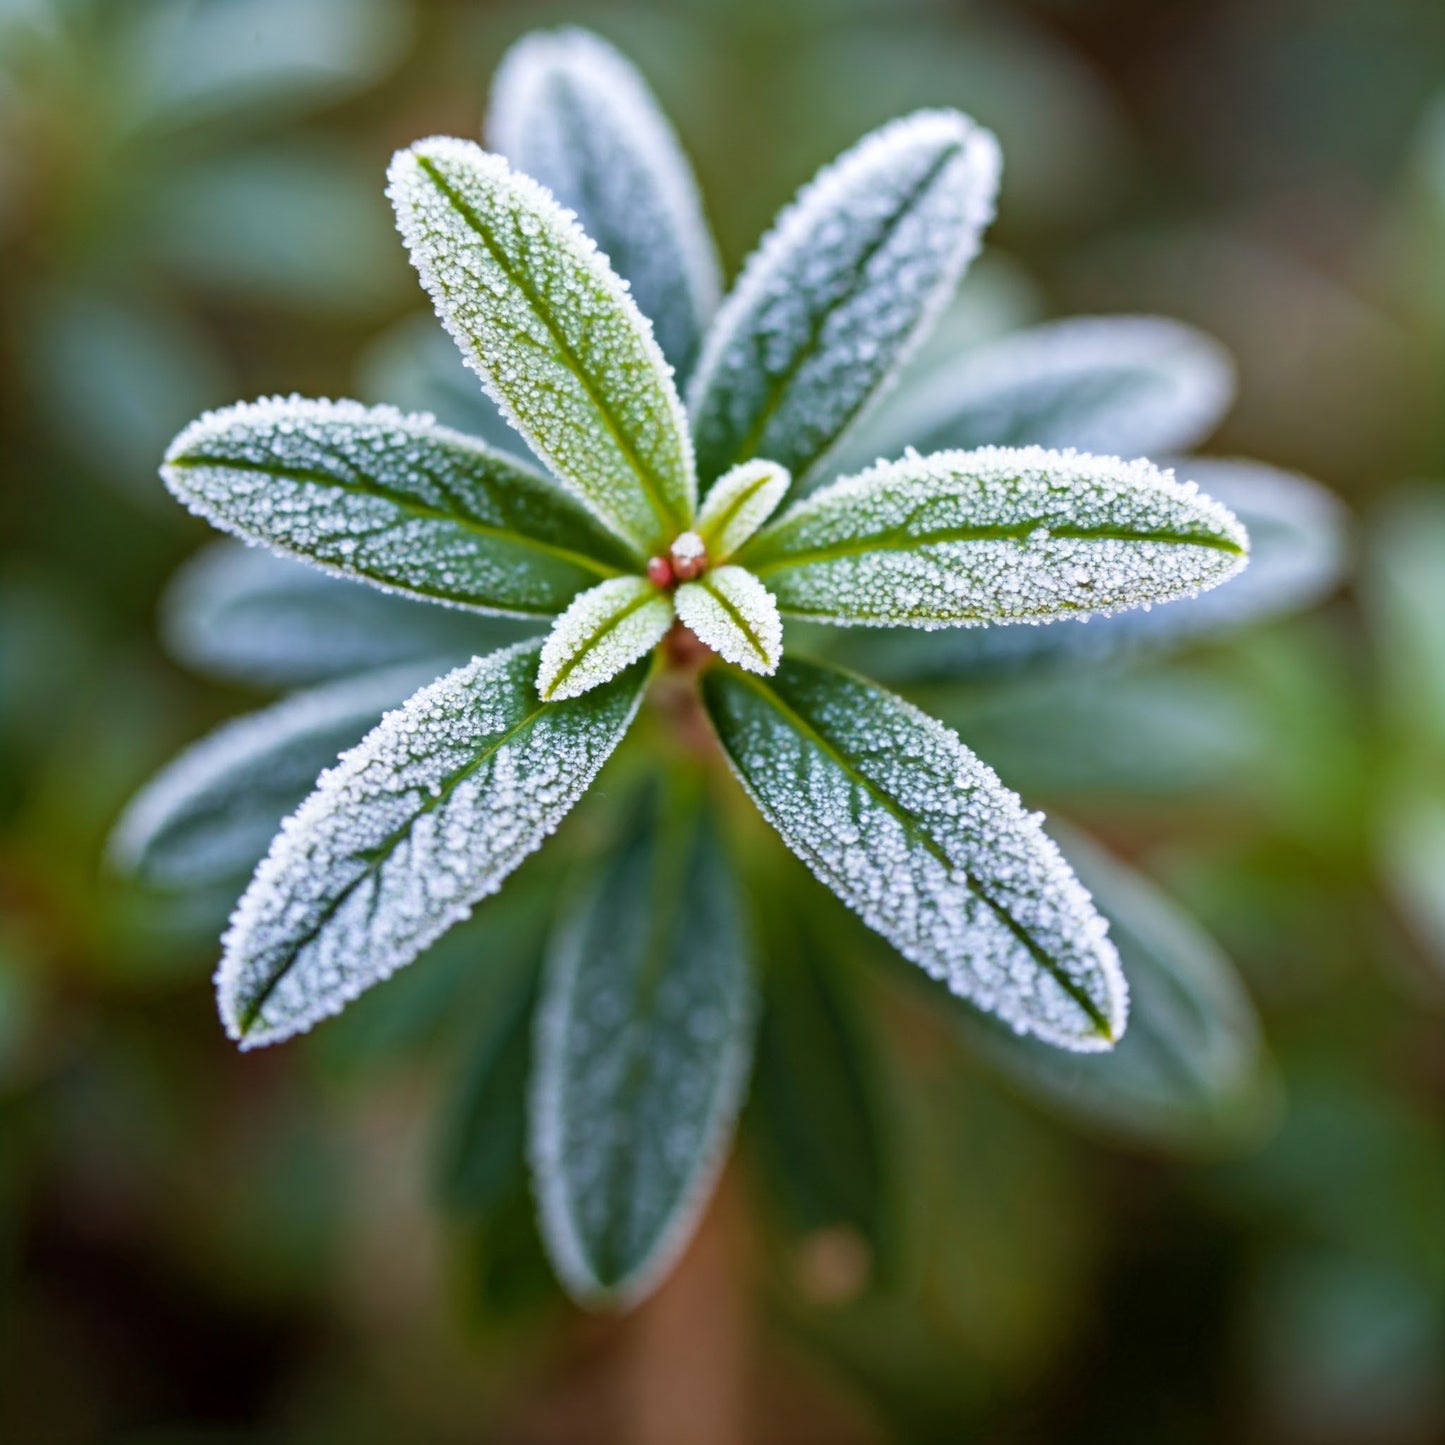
405,174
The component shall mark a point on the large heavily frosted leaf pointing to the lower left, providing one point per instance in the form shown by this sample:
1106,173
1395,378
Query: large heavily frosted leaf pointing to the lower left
417,824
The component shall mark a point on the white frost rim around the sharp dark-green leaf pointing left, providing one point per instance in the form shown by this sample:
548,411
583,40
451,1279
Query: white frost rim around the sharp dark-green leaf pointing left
322,411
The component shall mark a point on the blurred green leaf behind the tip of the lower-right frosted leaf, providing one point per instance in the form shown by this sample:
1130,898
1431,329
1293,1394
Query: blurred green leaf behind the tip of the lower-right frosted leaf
1191,1070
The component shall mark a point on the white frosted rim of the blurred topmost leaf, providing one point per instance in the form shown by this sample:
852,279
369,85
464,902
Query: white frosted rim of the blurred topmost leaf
592,64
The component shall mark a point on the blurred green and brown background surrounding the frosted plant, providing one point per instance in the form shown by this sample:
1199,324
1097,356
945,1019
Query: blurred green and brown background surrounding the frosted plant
197,1246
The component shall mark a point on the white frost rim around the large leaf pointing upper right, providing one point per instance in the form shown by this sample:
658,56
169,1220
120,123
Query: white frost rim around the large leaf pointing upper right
983,167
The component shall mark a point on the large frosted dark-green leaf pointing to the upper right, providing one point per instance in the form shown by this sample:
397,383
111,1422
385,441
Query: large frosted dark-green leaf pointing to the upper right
833,301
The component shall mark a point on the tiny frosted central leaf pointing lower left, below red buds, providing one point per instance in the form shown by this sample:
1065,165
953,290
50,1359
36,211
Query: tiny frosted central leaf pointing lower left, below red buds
606,629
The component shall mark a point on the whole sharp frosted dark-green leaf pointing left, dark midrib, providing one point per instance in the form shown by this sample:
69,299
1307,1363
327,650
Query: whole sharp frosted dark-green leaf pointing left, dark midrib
392,501
